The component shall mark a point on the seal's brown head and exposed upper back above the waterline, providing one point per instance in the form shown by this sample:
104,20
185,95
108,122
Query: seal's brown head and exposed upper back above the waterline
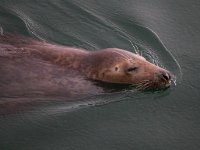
110,65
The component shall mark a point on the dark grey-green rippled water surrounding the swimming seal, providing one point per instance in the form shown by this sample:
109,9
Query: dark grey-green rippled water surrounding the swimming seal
166,32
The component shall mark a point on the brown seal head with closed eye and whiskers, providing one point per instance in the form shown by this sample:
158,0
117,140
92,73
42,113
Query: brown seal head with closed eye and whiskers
119,66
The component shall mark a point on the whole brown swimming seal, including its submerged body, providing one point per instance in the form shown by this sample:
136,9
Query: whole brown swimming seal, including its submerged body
33,71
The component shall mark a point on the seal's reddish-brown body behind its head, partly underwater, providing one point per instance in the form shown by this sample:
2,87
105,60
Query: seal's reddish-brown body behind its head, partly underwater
34,72
